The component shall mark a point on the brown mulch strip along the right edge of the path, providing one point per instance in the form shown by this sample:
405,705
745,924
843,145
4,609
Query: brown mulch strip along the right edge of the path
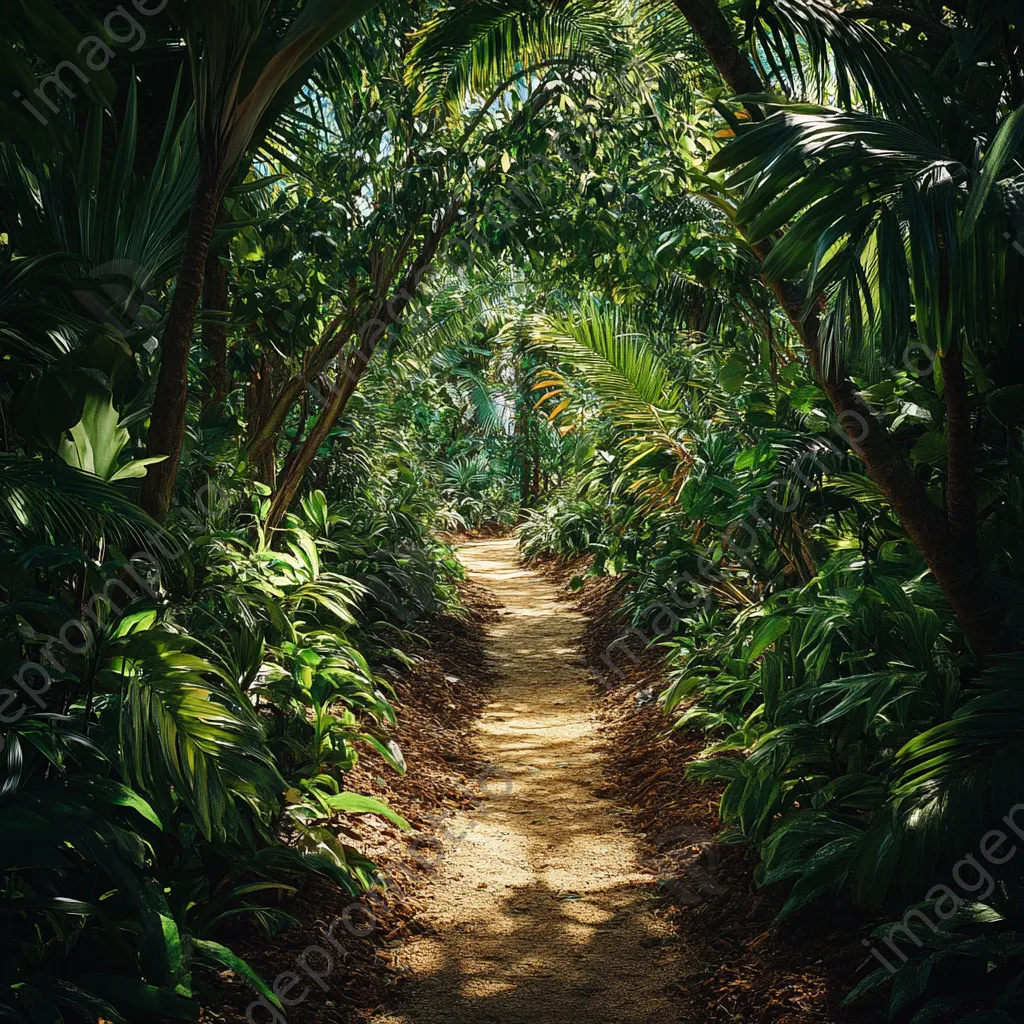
751,970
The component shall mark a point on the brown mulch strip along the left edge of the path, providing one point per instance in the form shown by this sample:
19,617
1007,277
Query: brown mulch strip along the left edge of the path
437,701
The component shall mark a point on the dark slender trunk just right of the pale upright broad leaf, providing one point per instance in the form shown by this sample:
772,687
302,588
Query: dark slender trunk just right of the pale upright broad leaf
167,422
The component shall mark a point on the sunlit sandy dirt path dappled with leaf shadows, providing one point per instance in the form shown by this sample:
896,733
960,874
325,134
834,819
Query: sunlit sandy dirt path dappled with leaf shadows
538,911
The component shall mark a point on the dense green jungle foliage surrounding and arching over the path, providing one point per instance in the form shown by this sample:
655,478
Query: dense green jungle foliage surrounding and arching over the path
720,295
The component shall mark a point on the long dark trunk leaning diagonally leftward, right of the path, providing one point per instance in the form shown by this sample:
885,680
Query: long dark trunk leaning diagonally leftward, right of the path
960,579
